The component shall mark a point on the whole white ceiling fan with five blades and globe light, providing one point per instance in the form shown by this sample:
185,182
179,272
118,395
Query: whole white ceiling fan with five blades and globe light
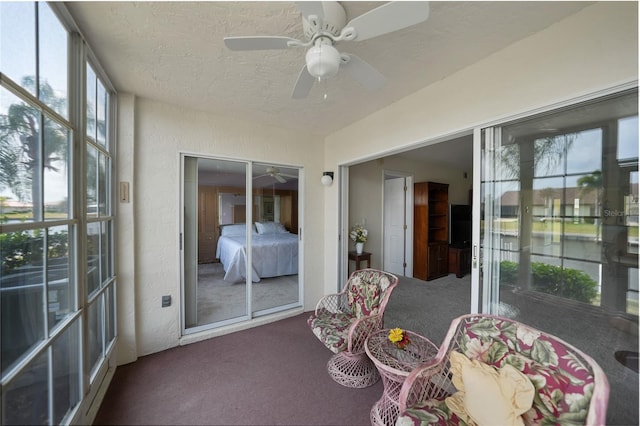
325,24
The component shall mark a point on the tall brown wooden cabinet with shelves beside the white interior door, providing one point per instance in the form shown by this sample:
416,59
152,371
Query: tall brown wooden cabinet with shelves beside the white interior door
430,230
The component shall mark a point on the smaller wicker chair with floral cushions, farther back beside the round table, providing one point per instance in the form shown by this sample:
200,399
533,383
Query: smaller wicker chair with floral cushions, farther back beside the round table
344,320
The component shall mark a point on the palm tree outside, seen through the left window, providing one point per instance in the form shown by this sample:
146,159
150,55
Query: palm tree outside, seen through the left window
30,144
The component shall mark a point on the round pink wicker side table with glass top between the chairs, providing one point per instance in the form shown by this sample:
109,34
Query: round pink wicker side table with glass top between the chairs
394,365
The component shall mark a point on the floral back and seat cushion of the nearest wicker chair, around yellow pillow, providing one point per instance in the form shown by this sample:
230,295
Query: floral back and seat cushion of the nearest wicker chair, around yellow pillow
563,382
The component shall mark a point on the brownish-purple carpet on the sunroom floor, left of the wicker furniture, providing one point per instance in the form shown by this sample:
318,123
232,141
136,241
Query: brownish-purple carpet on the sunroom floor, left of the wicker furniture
269,375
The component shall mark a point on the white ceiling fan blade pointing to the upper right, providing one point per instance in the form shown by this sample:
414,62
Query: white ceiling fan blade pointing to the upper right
387,18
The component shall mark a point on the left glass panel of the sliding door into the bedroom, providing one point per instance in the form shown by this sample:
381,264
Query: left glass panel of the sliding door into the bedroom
214,207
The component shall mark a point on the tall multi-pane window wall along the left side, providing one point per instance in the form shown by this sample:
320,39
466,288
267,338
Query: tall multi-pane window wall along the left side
57,258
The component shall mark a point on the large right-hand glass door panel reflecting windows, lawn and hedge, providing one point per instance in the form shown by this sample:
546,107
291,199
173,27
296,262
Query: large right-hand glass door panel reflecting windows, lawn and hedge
559,233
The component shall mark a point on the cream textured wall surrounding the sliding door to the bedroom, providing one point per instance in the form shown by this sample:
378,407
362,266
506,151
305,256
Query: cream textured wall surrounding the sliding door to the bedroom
161,132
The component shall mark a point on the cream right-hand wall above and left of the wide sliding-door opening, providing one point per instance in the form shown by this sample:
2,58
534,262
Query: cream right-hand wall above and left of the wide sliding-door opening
594,50
